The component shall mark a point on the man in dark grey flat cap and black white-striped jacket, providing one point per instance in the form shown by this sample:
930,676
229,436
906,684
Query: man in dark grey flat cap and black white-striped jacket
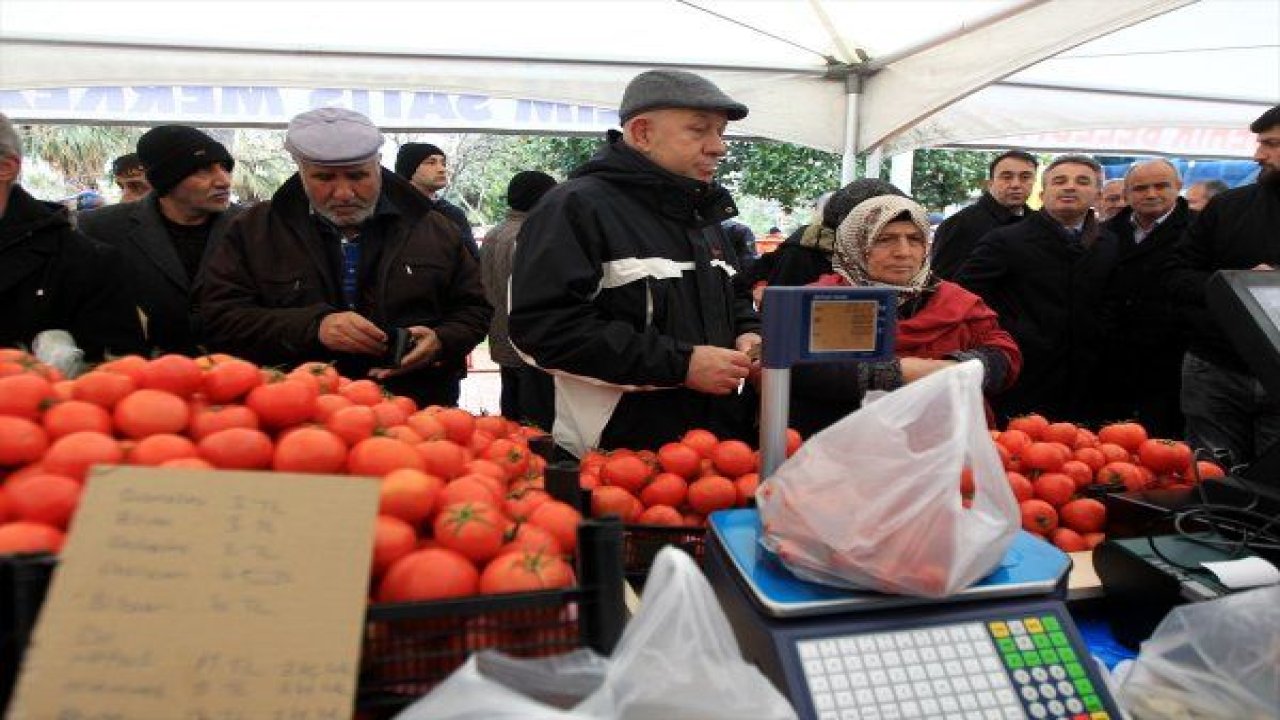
623,279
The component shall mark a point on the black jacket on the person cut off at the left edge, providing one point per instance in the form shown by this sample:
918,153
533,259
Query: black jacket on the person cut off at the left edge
53,277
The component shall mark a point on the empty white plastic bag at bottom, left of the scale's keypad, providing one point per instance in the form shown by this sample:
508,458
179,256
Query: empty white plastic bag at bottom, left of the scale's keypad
678,660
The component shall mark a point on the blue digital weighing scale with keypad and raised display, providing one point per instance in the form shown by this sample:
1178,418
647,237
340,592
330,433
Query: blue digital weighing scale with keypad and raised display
1005,649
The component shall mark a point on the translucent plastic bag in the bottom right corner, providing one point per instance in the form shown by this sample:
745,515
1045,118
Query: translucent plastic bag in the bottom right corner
1217,660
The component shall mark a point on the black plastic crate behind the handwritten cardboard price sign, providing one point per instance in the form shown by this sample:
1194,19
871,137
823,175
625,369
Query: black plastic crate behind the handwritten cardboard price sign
408,648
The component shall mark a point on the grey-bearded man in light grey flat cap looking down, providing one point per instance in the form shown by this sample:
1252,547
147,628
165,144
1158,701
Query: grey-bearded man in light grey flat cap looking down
344,259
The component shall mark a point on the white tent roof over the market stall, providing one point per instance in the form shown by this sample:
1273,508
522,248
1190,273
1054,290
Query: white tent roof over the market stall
939,72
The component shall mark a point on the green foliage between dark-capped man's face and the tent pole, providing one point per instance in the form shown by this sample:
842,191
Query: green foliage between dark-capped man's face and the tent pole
790,175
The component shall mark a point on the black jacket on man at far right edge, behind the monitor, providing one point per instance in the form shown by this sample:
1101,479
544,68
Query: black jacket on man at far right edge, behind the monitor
1237,231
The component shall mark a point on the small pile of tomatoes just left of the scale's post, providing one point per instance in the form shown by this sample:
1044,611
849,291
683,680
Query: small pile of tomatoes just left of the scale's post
679,485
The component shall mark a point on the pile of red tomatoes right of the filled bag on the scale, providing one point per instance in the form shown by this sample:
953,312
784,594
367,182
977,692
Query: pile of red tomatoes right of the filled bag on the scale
1054,468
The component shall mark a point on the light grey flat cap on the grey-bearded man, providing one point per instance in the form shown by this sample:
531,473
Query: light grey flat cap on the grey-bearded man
333,136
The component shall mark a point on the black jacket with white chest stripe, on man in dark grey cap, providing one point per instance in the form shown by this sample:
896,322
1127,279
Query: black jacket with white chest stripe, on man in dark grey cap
619,274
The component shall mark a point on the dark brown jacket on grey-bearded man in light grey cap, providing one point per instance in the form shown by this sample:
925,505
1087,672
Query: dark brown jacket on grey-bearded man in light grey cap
272,281
